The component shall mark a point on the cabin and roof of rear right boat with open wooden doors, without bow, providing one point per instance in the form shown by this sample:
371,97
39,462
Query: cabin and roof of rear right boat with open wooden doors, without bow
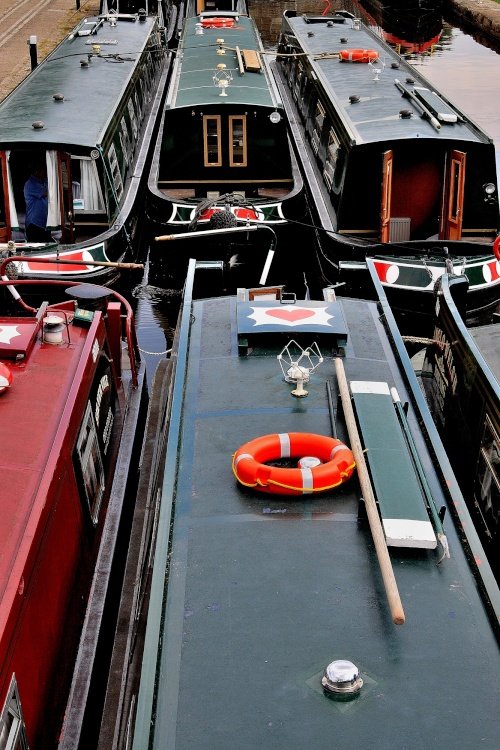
399,161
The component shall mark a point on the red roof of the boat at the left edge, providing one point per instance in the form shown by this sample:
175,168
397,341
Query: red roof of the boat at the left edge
36,411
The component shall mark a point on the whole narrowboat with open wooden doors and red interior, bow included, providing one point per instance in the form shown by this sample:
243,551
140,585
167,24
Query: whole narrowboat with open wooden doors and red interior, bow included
395,170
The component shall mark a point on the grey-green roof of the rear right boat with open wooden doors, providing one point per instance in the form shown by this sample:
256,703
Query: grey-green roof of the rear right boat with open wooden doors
375,114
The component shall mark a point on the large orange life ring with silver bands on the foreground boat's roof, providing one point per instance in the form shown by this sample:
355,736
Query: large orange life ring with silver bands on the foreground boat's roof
335,466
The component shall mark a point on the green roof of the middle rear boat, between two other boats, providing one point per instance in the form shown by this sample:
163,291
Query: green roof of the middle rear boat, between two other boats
198,60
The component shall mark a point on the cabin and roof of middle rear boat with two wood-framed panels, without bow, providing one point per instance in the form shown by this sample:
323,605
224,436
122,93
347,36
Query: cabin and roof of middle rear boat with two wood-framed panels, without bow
223,129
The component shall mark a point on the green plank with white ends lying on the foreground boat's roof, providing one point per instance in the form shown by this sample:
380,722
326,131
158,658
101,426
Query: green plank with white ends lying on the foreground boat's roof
395,480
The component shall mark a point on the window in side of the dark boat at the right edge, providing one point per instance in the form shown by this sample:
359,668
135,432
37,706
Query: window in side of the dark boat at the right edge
488,479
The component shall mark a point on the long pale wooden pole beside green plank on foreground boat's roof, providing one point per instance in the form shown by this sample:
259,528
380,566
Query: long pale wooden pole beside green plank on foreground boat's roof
391,587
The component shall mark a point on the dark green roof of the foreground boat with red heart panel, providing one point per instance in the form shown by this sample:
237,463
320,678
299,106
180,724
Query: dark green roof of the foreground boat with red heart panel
254,594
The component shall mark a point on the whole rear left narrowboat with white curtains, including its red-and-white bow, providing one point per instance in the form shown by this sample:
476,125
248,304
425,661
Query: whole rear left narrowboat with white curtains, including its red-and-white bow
75,138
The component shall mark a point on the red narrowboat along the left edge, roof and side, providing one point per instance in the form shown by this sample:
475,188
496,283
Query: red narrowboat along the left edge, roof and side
73,400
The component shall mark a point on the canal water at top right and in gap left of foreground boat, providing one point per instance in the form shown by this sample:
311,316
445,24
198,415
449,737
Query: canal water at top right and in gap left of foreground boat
463,65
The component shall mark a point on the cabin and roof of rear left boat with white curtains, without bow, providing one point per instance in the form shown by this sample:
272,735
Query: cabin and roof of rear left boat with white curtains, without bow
77,121
